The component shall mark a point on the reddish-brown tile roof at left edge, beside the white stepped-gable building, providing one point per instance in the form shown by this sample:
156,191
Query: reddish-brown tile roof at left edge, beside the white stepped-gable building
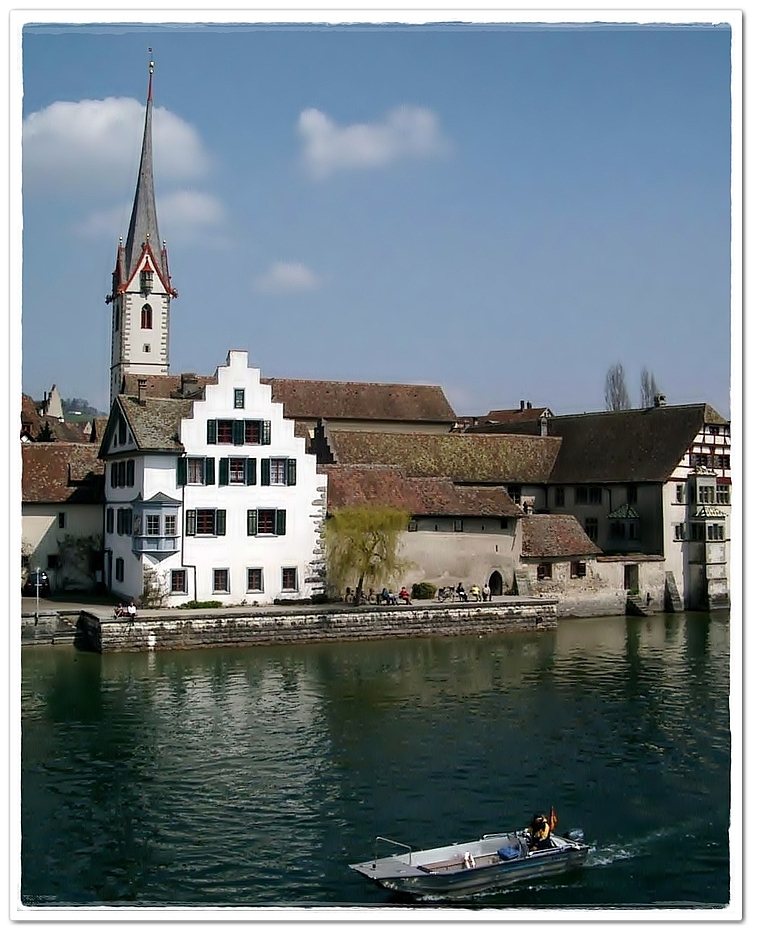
57,472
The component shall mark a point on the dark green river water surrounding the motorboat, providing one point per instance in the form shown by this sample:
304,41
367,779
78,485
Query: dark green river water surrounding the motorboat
251,777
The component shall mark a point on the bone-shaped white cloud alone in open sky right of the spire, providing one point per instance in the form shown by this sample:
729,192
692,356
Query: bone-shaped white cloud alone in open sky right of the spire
407,132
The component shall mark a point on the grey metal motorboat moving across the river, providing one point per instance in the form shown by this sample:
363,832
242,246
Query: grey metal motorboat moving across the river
493,861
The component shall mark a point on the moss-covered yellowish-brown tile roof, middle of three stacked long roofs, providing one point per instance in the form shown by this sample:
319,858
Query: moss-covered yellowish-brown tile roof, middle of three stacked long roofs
476,459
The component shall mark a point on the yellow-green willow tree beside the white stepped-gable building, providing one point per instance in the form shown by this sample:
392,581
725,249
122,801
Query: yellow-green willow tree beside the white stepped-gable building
362,544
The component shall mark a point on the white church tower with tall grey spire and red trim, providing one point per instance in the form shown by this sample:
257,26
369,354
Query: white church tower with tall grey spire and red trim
142,291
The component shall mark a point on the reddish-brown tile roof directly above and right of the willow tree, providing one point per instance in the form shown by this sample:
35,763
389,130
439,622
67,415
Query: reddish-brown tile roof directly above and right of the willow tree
433,496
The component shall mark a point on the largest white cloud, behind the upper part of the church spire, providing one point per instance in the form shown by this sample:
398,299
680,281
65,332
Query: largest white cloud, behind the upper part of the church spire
85,145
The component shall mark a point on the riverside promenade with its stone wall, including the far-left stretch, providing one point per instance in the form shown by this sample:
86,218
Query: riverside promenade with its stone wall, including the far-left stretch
93,627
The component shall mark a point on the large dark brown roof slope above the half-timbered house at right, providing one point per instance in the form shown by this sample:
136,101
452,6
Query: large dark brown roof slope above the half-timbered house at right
632,445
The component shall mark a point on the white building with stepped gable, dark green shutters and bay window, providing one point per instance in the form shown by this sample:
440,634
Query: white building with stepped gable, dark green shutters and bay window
211,498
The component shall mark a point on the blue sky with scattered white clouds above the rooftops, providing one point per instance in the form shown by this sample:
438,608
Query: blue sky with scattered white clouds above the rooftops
505,211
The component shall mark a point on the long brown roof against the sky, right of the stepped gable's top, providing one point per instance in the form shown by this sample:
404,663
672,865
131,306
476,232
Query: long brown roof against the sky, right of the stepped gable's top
330,399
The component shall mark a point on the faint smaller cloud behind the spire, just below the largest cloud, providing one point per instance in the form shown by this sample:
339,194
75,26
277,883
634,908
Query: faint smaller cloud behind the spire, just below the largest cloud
184,216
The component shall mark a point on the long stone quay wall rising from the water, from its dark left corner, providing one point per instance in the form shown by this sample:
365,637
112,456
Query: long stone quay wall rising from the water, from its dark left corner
239,628
